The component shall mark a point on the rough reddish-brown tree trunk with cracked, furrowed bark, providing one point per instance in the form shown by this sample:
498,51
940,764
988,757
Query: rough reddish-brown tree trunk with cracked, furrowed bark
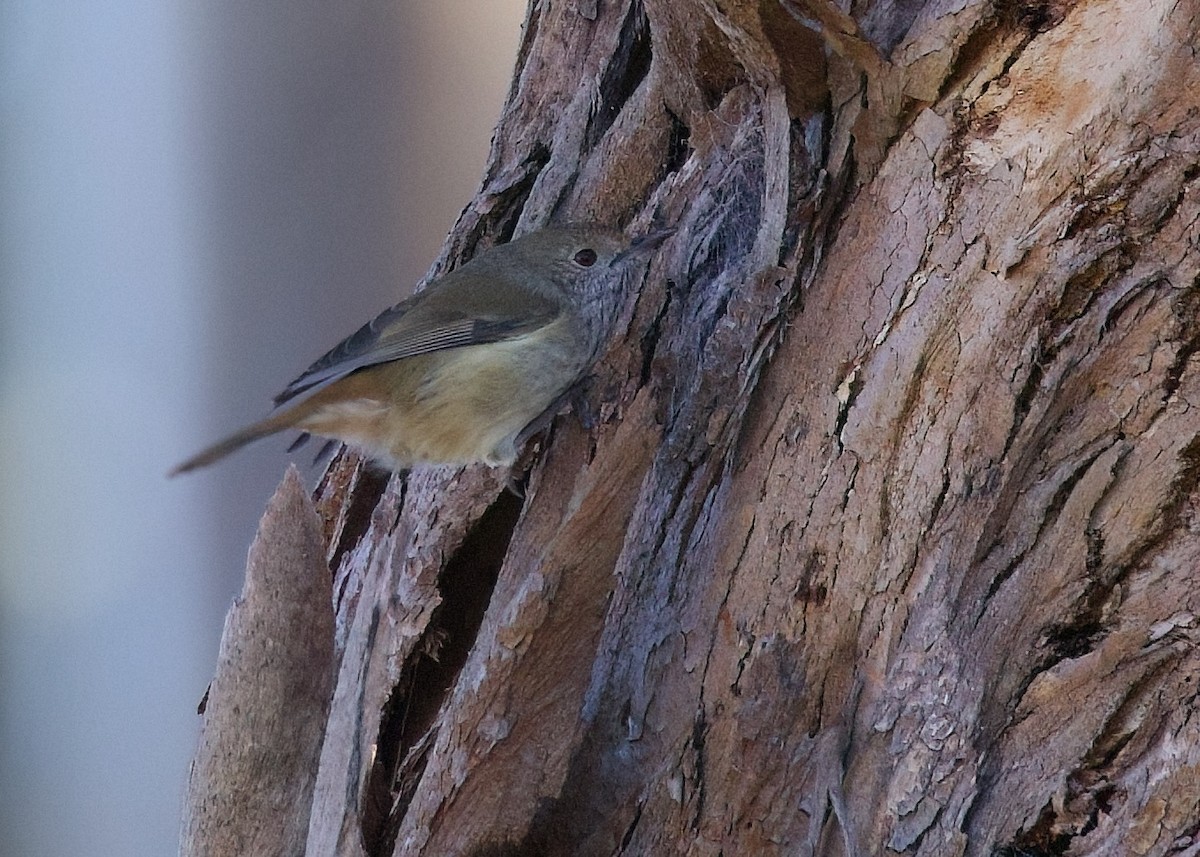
887,537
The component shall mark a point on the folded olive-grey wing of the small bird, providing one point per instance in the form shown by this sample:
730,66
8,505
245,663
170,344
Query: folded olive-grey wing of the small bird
451,315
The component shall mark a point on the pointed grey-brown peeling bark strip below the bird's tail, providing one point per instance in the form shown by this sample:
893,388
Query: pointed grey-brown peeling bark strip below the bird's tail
265,717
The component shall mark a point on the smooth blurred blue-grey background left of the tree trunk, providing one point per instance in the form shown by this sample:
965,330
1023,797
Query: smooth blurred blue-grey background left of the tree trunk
196,201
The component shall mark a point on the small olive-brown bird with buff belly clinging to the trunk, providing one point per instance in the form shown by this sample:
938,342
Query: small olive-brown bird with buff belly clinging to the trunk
459,371
